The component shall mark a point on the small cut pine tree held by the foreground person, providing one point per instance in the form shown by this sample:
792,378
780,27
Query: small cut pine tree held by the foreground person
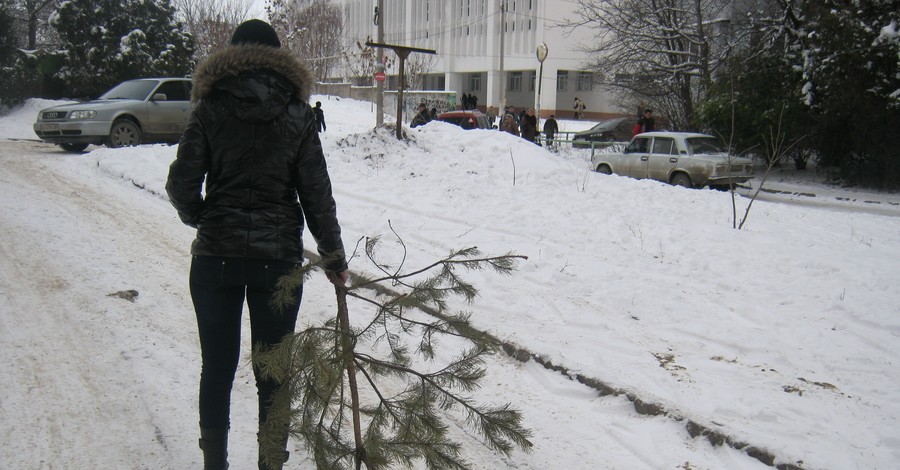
399,415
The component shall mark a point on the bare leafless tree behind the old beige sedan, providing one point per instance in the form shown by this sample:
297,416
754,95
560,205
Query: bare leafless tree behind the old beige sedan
664,52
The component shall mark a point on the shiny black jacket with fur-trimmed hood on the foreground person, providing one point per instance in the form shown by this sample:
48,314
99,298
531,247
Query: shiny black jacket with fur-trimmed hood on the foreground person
252,137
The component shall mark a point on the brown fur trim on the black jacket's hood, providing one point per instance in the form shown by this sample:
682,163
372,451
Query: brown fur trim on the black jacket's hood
236,59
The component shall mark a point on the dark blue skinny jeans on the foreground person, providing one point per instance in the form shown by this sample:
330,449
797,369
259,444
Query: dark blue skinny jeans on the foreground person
219,286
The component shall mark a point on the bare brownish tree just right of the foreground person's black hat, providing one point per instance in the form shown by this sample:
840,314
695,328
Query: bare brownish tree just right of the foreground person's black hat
311,28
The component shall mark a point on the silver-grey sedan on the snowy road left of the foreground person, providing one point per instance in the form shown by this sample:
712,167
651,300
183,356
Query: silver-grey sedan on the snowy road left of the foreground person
133,112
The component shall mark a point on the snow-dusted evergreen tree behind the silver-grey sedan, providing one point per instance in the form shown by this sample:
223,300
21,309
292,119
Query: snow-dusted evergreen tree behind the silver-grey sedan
108,41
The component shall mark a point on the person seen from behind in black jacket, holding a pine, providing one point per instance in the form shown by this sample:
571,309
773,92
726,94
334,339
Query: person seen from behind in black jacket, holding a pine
252,140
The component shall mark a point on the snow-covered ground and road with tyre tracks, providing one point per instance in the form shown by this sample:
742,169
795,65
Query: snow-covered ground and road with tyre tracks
782,336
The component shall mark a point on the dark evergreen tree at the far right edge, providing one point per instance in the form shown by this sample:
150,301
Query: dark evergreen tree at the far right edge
849,54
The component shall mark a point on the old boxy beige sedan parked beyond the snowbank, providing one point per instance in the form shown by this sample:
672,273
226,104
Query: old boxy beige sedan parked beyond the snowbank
680,158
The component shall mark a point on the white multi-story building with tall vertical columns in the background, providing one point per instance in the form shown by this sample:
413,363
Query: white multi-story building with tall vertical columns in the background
467,37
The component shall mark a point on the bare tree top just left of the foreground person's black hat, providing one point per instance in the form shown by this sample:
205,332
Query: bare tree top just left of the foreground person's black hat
211,22
